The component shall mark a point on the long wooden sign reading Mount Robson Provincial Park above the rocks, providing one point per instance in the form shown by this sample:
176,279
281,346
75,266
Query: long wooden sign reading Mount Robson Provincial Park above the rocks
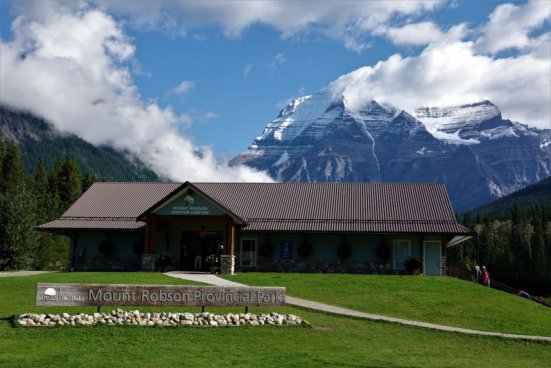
53,294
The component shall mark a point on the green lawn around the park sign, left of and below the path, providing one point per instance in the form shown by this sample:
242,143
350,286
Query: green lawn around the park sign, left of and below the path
331,342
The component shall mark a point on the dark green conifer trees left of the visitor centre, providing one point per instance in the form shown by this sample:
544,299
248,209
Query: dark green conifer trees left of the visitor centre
27,201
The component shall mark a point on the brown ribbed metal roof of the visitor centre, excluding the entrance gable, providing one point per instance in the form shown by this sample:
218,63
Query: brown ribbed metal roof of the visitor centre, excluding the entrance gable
319,207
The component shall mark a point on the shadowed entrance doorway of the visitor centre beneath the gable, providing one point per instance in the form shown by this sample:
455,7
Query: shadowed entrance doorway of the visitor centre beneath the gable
196,246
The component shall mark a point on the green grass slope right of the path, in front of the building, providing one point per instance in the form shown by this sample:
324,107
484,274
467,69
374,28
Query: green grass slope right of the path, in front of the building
440,300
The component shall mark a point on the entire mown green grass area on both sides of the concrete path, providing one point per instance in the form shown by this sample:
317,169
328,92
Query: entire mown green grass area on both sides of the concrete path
333,341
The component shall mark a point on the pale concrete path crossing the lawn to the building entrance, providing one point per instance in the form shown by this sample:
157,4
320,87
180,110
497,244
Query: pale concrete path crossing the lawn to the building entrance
208,278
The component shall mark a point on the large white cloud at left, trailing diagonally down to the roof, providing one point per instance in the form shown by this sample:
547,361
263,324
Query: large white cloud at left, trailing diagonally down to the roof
70,66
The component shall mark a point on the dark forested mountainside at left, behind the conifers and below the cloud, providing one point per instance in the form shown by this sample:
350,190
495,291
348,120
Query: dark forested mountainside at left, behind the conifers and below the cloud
38,140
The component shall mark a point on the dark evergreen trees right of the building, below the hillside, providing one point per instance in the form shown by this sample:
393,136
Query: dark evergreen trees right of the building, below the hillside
514,245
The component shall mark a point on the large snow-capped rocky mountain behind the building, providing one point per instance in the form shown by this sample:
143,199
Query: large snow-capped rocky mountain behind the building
479,155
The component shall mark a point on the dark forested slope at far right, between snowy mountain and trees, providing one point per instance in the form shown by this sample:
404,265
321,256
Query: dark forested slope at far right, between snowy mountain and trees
535,194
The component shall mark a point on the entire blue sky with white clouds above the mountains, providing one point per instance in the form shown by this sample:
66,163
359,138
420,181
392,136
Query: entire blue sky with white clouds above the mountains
187,85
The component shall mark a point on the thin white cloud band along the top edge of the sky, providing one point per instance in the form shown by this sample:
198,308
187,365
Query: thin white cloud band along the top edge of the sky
348,21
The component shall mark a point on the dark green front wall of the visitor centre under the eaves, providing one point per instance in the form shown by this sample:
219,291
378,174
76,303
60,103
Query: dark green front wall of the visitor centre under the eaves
126,249
